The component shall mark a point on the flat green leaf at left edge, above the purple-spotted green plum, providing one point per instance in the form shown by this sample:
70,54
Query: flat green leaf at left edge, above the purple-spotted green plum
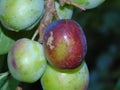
5,42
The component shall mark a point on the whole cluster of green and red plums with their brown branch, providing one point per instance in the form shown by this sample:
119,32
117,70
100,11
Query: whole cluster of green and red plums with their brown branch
58,61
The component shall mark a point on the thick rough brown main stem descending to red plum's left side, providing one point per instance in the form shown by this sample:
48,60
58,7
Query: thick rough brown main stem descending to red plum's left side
50,11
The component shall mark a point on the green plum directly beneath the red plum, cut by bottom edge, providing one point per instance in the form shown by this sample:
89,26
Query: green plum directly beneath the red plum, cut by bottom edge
55,79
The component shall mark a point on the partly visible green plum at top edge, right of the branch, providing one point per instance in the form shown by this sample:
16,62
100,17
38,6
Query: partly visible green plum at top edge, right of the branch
89,4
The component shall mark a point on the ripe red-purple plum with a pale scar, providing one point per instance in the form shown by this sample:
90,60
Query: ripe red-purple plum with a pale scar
64,44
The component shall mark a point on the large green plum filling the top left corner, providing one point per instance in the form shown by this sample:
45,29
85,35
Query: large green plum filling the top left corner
20,14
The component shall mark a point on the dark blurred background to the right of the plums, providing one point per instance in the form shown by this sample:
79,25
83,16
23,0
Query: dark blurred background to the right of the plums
102,29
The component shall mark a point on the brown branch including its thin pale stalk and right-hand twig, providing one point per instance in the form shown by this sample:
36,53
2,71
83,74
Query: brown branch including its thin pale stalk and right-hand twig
50,11
